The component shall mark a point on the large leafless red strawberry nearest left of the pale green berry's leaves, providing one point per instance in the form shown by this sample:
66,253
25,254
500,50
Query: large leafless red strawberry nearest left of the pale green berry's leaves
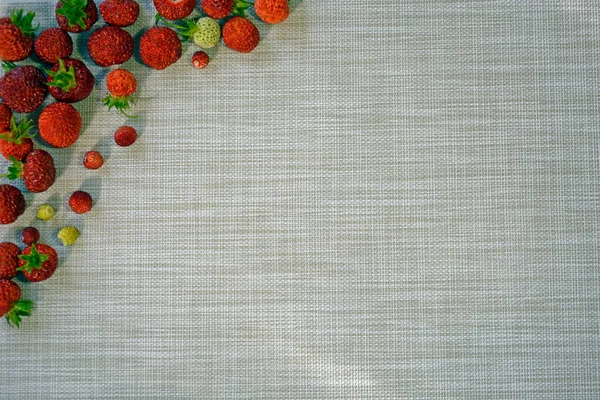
160,47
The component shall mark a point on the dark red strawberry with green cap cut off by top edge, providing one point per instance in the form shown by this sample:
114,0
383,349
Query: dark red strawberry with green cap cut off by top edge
76,15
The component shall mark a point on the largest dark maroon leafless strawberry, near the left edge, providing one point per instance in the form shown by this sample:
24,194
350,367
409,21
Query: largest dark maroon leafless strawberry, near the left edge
23,89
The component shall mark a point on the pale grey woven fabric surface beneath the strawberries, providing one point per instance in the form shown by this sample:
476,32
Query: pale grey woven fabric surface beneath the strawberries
385,200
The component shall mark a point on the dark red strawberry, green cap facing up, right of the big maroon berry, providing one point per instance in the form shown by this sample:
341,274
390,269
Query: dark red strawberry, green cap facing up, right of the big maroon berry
70,80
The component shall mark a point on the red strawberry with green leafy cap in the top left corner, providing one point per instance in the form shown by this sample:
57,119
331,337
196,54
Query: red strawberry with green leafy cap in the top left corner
16,37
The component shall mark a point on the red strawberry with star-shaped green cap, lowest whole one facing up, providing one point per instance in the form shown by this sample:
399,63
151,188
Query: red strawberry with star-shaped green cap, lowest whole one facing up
38,262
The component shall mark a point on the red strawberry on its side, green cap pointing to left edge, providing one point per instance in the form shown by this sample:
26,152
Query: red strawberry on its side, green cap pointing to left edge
38,171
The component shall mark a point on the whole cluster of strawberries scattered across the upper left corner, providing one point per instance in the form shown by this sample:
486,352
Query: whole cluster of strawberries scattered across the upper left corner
23,89
